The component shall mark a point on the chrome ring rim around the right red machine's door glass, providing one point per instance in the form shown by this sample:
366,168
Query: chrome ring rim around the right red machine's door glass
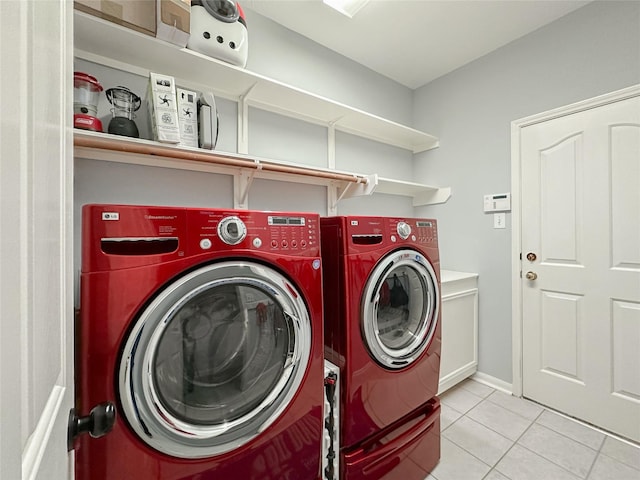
405,356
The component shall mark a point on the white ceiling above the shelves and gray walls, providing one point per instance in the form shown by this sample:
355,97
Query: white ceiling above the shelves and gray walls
415,41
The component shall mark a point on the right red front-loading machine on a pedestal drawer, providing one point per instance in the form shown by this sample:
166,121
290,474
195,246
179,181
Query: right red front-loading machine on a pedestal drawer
382,328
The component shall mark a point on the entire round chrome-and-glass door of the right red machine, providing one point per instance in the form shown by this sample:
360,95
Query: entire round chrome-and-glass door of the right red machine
400,308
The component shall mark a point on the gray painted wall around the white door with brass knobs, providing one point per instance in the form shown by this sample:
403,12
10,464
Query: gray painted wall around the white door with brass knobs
587,53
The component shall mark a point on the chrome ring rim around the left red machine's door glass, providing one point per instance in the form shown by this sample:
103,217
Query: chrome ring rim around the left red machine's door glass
154,423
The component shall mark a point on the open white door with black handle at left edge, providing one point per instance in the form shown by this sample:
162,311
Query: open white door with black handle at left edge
36,295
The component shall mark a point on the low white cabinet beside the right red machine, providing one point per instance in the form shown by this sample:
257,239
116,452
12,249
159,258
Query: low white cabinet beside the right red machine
459,357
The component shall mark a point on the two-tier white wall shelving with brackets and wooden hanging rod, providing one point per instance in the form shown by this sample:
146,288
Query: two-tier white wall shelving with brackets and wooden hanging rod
109,44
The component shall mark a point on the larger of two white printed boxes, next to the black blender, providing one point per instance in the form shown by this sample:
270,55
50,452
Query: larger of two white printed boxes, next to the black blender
163,108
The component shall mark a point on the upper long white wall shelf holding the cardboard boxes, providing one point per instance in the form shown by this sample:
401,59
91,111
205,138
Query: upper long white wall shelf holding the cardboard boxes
112,45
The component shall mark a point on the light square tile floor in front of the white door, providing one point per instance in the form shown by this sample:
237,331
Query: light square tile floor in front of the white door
489,435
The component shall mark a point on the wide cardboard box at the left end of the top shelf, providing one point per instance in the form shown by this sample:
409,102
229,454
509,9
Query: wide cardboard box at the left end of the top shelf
139,15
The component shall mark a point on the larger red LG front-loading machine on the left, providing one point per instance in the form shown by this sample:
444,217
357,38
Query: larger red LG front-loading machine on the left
201,329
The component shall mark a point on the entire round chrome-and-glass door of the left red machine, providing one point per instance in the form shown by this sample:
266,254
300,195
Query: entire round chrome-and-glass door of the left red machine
214,359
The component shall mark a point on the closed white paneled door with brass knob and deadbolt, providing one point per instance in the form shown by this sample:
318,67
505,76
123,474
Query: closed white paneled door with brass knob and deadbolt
580,187
